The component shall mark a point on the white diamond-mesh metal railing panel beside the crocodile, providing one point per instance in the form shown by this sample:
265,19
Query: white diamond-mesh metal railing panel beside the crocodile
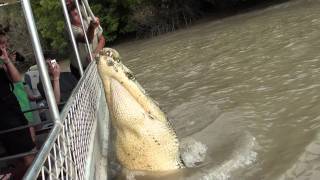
66,153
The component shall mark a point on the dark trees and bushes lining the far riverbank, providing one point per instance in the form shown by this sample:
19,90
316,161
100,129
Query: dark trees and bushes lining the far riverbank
139,18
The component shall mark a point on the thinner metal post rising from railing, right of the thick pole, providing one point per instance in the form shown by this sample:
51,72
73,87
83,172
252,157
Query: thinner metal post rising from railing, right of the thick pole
73,39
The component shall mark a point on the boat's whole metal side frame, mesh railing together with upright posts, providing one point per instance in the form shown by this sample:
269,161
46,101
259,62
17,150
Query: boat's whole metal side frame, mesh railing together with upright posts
73,148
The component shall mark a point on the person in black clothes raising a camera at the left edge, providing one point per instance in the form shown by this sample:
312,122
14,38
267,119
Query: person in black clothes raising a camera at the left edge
19,141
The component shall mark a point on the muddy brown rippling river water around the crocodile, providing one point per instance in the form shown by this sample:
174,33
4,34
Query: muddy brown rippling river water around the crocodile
243,93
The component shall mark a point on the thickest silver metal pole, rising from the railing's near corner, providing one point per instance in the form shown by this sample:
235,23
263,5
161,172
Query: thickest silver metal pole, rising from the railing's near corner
53,109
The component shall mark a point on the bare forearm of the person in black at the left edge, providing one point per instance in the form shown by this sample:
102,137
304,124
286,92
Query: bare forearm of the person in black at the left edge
12,71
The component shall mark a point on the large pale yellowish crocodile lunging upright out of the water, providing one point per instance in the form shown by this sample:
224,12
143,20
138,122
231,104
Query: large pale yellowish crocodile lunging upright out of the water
145,139
